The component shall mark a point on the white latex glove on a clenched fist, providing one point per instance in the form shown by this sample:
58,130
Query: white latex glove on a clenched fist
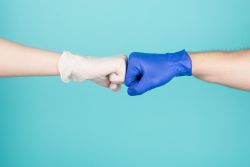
105,71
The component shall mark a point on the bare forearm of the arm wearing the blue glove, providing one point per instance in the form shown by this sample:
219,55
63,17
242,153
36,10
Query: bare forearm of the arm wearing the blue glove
226,68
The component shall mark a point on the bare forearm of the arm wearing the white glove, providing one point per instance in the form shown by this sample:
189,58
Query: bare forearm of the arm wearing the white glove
20,60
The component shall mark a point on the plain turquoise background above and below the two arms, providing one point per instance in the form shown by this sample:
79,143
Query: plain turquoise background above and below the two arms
46,123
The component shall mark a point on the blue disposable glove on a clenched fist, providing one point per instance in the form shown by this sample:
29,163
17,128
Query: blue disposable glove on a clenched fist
146,71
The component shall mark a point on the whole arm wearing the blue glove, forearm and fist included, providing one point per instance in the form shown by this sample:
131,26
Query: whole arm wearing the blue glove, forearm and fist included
147,71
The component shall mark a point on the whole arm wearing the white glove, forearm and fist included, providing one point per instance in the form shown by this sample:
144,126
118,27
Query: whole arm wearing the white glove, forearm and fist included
20,60
